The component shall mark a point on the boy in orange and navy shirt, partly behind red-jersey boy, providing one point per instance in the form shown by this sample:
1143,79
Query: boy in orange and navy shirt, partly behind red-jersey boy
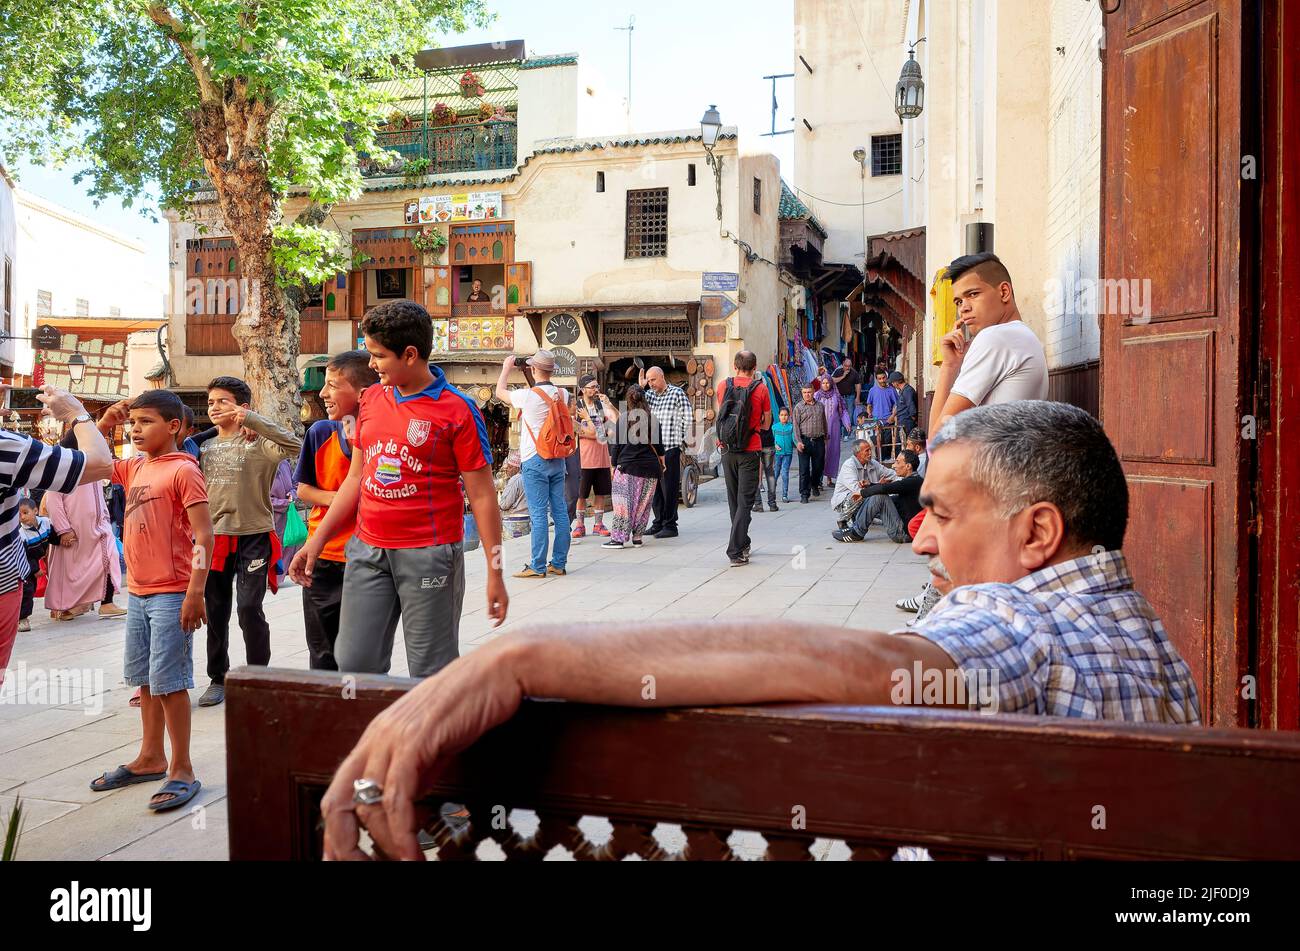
323,466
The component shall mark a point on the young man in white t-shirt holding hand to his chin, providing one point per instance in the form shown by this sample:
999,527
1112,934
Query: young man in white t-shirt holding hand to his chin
1003,362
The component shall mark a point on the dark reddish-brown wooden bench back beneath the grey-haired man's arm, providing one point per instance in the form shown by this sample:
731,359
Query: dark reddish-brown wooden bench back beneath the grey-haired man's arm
963,785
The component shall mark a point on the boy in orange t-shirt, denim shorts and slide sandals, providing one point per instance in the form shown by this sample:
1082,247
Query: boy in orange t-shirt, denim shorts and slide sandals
168,570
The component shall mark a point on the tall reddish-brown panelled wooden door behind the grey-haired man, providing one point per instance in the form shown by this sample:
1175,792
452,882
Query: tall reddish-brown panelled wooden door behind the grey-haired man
1175,379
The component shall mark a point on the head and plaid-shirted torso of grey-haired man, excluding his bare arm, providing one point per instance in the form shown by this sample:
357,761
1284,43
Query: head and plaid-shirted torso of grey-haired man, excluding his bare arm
1028,507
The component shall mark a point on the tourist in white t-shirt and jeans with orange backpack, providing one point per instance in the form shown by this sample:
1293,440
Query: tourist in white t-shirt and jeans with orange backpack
547,440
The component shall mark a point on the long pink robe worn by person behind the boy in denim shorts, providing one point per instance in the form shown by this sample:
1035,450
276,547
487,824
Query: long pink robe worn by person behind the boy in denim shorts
86,561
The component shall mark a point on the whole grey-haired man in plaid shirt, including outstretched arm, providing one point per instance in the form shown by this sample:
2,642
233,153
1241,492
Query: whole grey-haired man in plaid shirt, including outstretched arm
1028,507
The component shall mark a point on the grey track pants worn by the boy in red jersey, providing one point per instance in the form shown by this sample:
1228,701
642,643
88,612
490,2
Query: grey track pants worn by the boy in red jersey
424,588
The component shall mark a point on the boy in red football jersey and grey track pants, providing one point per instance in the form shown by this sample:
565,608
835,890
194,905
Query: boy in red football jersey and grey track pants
418,438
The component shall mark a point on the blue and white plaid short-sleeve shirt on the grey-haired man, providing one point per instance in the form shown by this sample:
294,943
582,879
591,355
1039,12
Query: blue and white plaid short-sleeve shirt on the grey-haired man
1073,640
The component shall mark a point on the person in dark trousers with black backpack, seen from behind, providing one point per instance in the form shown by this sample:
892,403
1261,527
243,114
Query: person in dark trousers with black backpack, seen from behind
744,411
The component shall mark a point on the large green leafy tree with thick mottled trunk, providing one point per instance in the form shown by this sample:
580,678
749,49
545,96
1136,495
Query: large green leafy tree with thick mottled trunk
250,99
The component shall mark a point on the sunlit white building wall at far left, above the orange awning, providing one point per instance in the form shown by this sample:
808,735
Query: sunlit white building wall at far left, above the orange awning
73,257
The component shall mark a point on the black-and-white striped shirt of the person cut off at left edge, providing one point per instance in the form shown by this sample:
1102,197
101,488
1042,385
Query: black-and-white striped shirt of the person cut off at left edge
28,466
